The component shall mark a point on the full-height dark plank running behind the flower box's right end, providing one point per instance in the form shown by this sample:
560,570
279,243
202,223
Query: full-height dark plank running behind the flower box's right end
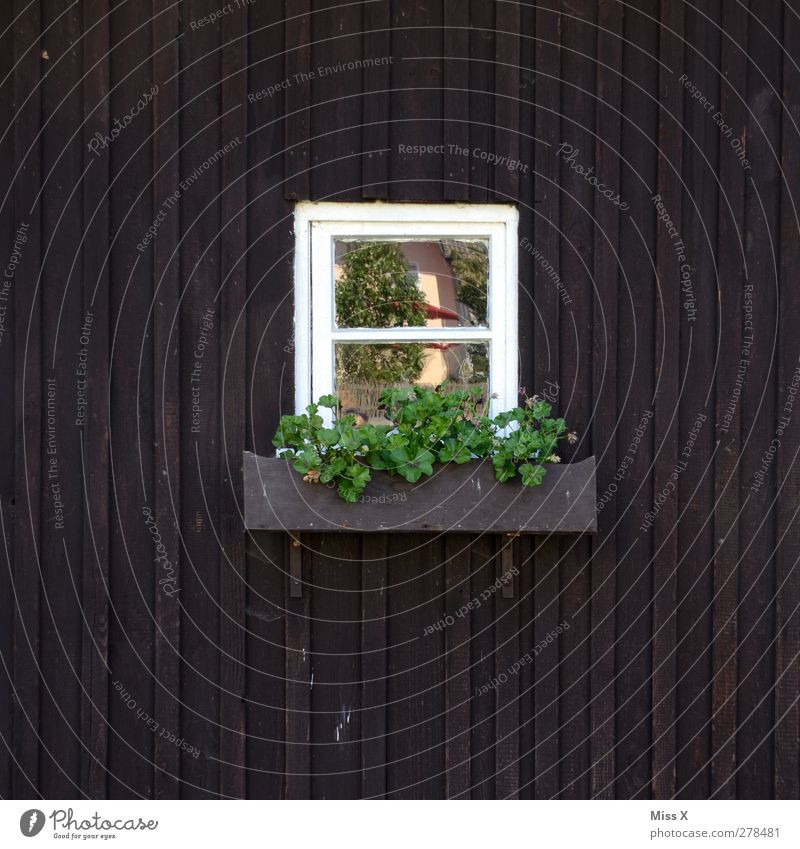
574,399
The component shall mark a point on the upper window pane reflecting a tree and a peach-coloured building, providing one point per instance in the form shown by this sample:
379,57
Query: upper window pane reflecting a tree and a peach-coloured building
411,284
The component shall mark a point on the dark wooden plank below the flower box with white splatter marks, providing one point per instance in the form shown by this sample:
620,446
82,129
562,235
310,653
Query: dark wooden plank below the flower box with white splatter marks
335,570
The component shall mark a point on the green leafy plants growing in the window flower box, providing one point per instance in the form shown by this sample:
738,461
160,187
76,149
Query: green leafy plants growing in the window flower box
425,427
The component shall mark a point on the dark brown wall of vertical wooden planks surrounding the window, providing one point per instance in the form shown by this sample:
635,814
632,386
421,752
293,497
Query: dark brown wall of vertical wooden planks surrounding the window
678,674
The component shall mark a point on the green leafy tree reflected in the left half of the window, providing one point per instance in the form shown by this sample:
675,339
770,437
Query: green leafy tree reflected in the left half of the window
376,289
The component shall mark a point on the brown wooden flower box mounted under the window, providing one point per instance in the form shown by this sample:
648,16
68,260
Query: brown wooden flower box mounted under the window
464,499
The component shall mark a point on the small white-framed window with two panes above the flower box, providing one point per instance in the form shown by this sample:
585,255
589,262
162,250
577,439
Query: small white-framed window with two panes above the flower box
405,295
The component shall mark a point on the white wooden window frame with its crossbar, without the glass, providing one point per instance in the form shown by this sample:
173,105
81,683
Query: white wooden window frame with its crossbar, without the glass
317,225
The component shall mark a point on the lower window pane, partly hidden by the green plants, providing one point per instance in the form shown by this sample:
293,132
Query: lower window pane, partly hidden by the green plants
364,371
